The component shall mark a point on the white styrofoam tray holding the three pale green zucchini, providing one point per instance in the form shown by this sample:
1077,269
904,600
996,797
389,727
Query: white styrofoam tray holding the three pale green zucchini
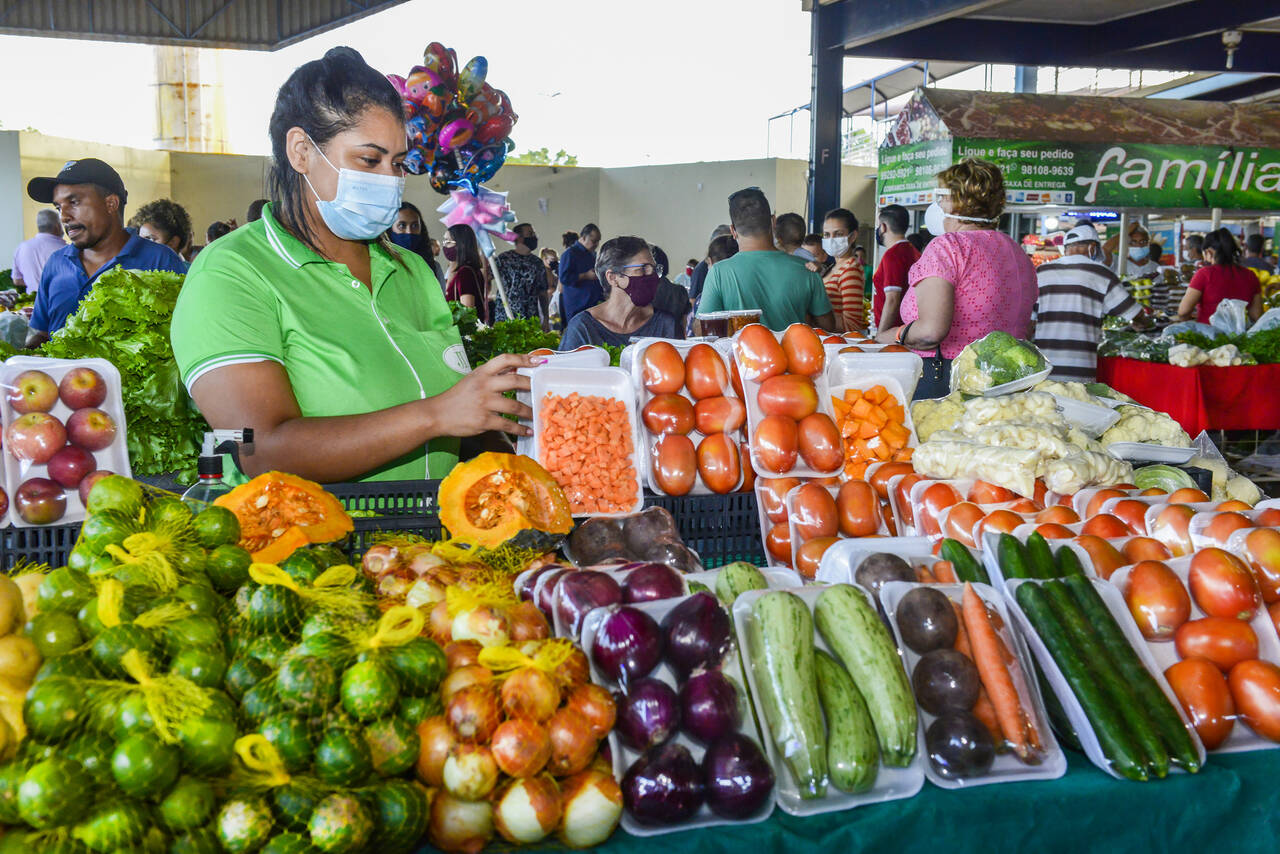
892,784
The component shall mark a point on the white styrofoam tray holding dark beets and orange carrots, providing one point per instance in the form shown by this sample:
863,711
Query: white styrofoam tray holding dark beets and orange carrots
1007,768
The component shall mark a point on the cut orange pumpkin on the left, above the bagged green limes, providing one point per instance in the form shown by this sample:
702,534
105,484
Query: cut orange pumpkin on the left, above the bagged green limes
282,513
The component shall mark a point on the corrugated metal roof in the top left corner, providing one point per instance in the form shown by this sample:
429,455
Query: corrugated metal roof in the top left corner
248,25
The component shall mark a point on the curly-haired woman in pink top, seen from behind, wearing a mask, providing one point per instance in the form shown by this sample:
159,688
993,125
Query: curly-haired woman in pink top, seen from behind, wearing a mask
972,280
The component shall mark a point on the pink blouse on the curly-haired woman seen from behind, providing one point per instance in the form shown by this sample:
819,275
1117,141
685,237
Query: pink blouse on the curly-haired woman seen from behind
994,282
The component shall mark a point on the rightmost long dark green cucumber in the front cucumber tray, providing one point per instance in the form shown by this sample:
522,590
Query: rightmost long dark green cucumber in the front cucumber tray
1169,724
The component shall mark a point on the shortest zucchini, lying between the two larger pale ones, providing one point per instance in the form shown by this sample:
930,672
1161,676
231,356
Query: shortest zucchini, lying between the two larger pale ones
853,755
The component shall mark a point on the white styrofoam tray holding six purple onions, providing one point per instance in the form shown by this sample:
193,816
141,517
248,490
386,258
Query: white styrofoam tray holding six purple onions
624,757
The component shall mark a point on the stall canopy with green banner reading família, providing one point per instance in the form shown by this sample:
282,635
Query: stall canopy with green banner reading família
1081,150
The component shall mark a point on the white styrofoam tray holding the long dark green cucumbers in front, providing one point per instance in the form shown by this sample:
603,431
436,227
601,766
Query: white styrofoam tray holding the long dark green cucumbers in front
1114,604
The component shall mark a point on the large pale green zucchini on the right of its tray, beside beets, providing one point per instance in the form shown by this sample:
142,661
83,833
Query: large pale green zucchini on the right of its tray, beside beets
856,634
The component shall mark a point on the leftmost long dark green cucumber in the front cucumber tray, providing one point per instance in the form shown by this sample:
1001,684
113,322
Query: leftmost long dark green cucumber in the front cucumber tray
1117,746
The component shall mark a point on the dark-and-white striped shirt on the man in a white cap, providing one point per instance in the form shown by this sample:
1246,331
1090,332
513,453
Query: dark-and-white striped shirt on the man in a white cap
1075,295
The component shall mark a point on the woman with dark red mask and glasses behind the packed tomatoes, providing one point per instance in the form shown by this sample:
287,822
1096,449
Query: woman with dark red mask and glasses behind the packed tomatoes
629,276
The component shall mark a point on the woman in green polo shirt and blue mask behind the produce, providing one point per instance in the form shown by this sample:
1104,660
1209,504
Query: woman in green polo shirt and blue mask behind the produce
309,327
